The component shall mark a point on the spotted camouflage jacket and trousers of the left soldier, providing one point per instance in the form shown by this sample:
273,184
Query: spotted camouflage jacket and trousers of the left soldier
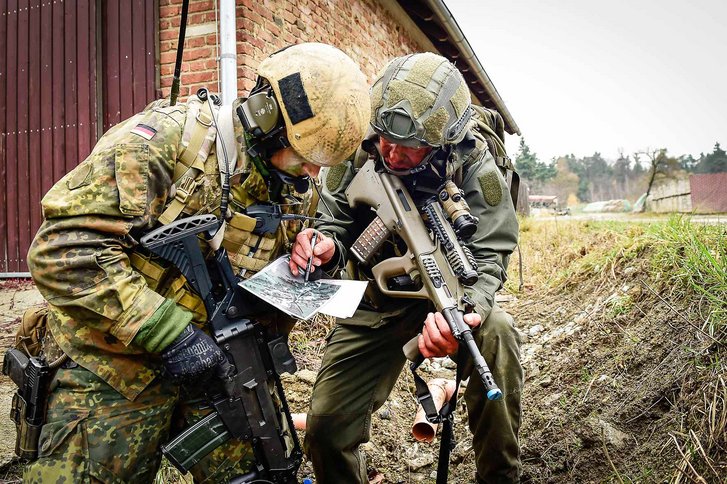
114,404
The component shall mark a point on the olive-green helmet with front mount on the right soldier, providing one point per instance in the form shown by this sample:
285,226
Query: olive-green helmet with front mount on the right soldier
421,100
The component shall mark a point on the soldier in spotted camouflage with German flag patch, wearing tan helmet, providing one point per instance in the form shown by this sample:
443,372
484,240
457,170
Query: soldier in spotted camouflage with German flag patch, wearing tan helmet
122,316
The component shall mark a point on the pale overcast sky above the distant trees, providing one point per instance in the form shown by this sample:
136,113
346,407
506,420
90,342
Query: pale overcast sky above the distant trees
583,76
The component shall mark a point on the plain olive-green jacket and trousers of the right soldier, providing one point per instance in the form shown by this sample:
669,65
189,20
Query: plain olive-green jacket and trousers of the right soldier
364,356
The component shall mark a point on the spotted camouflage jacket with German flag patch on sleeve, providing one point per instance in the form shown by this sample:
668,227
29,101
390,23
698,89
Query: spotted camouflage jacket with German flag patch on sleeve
94,217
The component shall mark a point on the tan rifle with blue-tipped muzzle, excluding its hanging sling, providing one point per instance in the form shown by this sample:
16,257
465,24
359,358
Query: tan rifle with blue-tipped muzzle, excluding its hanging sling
435,260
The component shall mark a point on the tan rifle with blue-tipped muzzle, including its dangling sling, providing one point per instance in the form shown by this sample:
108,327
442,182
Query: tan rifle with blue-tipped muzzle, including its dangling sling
436,267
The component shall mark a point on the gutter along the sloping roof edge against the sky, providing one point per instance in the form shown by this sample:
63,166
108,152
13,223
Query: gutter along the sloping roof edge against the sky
458,38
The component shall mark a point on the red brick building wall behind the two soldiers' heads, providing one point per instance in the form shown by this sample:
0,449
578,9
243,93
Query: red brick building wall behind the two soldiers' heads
361,28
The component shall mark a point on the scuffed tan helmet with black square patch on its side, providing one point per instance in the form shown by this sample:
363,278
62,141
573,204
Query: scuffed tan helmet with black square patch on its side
324,100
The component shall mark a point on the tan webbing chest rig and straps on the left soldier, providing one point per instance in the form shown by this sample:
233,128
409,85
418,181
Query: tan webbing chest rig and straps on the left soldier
197,189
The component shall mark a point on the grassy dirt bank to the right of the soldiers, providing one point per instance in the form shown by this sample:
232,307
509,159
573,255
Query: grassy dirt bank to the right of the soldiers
625,354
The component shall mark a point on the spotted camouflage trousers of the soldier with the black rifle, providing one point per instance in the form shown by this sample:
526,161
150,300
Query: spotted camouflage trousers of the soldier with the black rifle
94,434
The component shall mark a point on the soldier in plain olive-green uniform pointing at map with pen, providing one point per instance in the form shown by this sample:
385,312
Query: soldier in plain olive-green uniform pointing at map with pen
421,116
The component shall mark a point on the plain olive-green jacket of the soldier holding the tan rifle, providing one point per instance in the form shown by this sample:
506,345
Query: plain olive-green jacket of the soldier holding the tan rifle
487,195
